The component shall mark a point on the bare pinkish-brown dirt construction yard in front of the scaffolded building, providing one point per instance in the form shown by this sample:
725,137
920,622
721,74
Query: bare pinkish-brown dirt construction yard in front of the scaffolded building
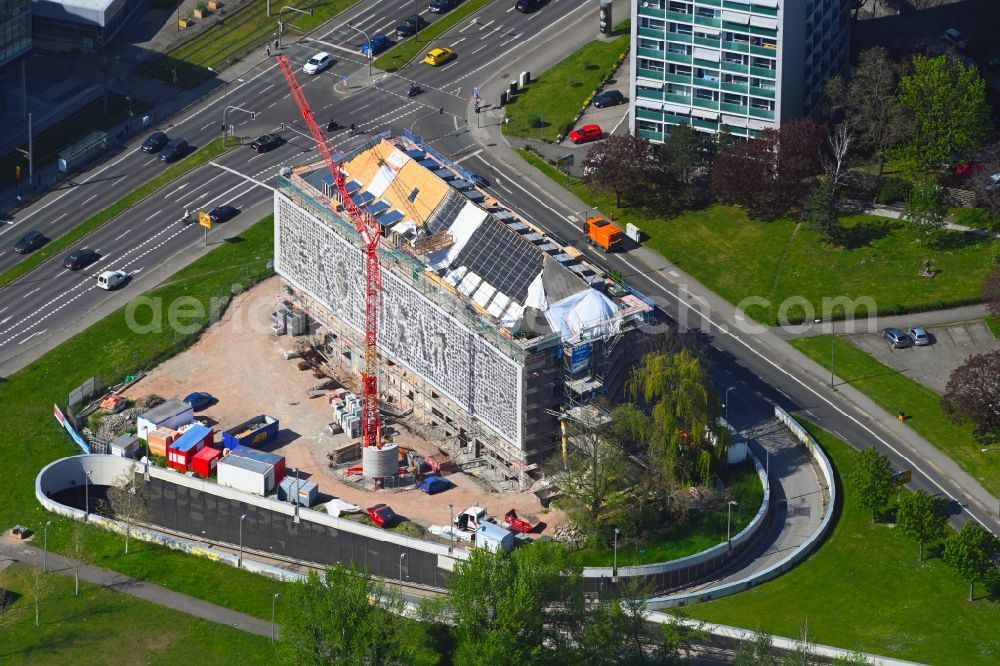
239,362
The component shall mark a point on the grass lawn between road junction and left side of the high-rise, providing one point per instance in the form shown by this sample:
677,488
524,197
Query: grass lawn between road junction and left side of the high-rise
547,106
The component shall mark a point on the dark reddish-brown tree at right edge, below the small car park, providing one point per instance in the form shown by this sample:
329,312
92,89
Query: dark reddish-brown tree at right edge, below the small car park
973,392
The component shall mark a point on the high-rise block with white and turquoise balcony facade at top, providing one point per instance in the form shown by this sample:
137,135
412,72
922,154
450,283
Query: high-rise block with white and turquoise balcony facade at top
723,65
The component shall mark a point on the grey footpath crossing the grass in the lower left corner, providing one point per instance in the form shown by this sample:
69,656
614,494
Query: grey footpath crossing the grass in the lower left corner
19,551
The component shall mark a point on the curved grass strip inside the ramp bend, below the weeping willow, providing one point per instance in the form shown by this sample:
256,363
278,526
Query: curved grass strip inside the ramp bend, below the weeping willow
703,532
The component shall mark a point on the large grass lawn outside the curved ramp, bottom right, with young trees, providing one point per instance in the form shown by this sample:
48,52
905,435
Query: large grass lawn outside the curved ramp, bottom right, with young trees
865,590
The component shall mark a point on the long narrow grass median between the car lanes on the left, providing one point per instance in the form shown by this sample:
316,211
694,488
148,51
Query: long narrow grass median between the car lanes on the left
201,156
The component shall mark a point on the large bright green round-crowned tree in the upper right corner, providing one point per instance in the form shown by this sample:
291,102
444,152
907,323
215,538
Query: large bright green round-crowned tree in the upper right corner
948,112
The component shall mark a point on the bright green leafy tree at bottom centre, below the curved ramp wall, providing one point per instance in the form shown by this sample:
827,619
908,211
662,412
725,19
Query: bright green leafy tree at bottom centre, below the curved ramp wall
517,608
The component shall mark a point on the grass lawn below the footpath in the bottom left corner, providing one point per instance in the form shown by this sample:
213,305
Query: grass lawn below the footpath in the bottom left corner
105,627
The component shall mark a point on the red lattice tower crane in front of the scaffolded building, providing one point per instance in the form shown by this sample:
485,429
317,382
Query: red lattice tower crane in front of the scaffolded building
368,228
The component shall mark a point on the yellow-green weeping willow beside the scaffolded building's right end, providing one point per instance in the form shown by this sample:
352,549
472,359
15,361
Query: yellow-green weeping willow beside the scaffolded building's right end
685,437
